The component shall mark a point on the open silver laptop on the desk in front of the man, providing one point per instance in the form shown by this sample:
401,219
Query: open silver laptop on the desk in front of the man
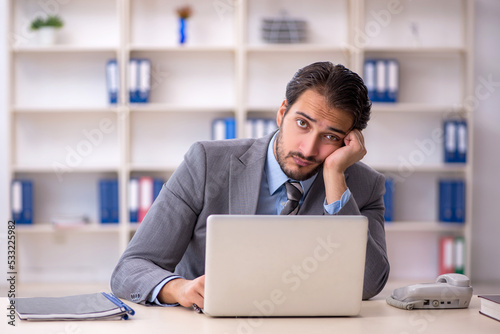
284,265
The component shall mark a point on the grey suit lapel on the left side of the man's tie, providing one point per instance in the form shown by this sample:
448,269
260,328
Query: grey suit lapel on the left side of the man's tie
245,178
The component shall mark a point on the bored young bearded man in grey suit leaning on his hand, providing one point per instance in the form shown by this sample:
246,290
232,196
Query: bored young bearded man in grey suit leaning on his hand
319,143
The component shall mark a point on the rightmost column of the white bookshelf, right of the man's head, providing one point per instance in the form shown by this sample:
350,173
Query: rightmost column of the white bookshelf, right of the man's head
410,148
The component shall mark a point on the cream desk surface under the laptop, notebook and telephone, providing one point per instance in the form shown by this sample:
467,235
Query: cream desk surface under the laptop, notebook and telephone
375,317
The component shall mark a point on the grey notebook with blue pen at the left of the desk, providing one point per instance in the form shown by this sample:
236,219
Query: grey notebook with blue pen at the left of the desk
94,306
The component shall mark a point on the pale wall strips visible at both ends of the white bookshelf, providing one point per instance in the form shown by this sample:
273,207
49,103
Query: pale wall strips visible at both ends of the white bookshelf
486,224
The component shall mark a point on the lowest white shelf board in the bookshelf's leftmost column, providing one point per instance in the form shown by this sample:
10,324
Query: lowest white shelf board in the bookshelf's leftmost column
50,228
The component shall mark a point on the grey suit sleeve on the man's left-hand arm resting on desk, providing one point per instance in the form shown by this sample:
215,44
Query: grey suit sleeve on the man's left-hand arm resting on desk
165,233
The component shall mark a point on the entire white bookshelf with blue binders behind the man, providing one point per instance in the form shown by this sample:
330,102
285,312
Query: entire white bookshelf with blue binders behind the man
59,98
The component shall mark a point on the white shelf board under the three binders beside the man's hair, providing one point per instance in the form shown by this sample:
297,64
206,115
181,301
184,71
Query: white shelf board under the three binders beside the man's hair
416,107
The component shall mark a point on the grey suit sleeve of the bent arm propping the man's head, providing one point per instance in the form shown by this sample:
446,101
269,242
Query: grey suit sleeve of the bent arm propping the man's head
377,264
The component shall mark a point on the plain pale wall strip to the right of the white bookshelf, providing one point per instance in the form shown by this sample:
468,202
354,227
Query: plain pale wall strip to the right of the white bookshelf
486,219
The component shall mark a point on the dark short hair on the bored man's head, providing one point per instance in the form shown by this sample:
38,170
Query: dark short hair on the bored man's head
342,88
